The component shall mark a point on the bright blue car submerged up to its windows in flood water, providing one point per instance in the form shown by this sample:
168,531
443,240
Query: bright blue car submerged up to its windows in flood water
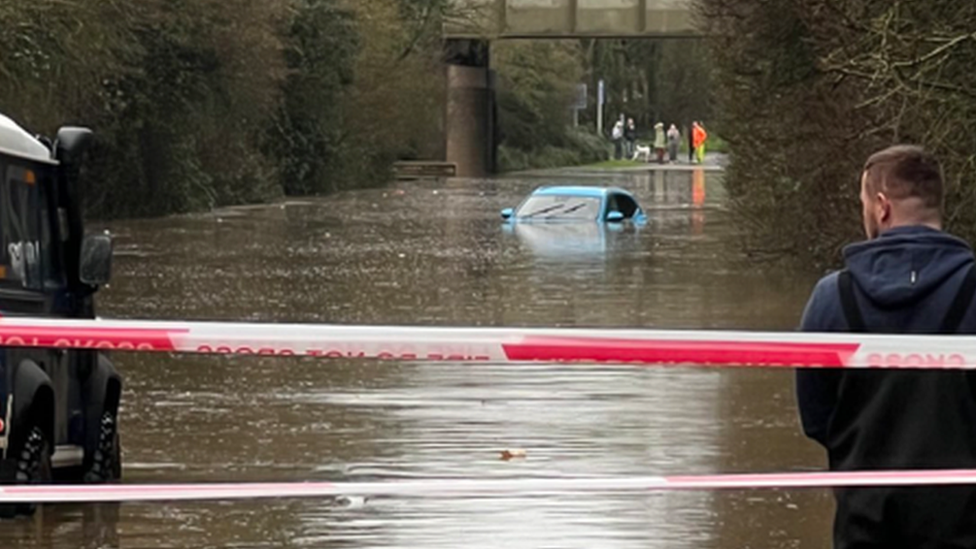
577,203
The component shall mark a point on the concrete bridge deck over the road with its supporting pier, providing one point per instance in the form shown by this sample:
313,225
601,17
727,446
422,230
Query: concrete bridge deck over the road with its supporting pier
470,118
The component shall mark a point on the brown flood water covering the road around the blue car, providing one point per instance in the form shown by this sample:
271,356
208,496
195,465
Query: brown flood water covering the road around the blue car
426,253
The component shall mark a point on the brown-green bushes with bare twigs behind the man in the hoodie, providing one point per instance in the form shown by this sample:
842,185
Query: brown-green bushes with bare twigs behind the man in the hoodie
809,89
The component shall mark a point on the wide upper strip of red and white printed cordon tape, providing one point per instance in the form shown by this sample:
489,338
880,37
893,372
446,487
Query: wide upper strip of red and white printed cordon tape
714,348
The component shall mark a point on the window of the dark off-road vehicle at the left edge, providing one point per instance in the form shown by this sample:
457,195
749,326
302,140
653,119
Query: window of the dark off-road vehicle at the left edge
24,225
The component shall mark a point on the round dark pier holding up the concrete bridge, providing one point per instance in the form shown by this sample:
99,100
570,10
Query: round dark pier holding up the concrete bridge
470,121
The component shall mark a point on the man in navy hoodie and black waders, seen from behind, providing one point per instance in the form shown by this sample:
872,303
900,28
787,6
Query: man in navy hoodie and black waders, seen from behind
909,277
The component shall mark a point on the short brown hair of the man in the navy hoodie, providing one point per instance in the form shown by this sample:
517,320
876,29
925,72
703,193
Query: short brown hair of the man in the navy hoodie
906,171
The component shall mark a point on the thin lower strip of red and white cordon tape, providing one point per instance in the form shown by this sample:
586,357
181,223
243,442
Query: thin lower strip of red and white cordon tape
471,487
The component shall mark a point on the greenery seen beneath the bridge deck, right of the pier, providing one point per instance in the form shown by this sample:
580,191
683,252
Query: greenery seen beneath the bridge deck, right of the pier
648,80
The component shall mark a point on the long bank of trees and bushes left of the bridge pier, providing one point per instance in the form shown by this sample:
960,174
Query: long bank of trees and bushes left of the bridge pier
201,103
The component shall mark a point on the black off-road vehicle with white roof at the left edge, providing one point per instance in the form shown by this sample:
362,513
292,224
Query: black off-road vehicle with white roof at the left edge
58,407
